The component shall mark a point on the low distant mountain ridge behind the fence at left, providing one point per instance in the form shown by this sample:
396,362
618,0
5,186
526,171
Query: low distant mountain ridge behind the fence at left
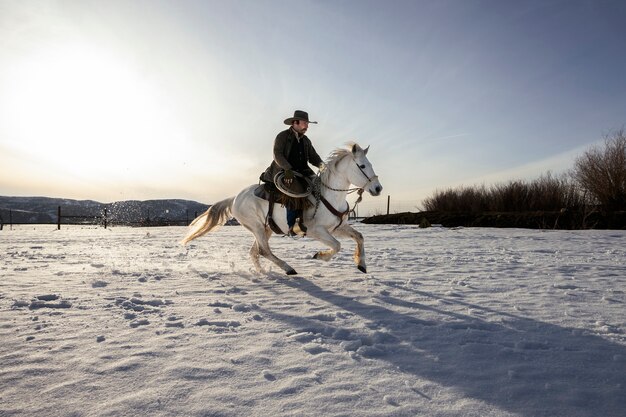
35,210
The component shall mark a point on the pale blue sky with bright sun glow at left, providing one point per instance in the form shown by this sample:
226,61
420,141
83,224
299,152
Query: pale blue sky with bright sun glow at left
151,99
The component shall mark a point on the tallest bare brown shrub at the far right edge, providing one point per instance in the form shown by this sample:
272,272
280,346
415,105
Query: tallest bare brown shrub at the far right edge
602,172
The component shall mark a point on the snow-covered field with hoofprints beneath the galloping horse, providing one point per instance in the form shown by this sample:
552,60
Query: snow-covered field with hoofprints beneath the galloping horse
447,322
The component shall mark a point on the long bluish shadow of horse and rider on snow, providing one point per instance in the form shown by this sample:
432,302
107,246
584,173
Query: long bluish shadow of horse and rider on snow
519,364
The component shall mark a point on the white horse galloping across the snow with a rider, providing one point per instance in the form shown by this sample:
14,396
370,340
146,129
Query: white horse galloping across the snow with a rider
343,168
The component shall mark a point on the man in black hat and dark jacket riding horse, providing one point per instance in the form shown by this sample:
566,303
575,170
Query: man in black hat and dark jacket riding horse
293,151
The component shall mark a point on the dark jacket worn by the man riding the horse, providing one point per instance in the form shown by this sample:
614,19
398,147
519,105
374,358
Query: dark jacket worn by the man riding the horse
283,144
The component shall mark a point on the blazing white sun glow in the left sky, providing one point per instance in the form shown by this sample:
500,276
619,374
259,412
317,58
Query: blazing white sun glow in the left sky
88,113
